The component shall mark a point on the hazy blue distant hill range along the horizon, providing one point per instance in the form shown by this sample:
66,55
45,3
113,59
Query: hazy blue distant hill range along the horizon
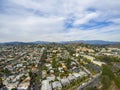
93,42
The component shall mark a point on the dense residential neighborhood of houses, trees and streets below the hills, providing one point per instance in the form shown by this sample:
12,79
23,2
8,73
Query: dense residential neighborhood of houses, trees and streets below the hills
51,66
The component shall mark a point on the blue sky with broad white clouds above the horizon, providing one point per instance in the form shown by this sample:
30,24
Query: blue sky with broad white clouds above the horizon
59,20
